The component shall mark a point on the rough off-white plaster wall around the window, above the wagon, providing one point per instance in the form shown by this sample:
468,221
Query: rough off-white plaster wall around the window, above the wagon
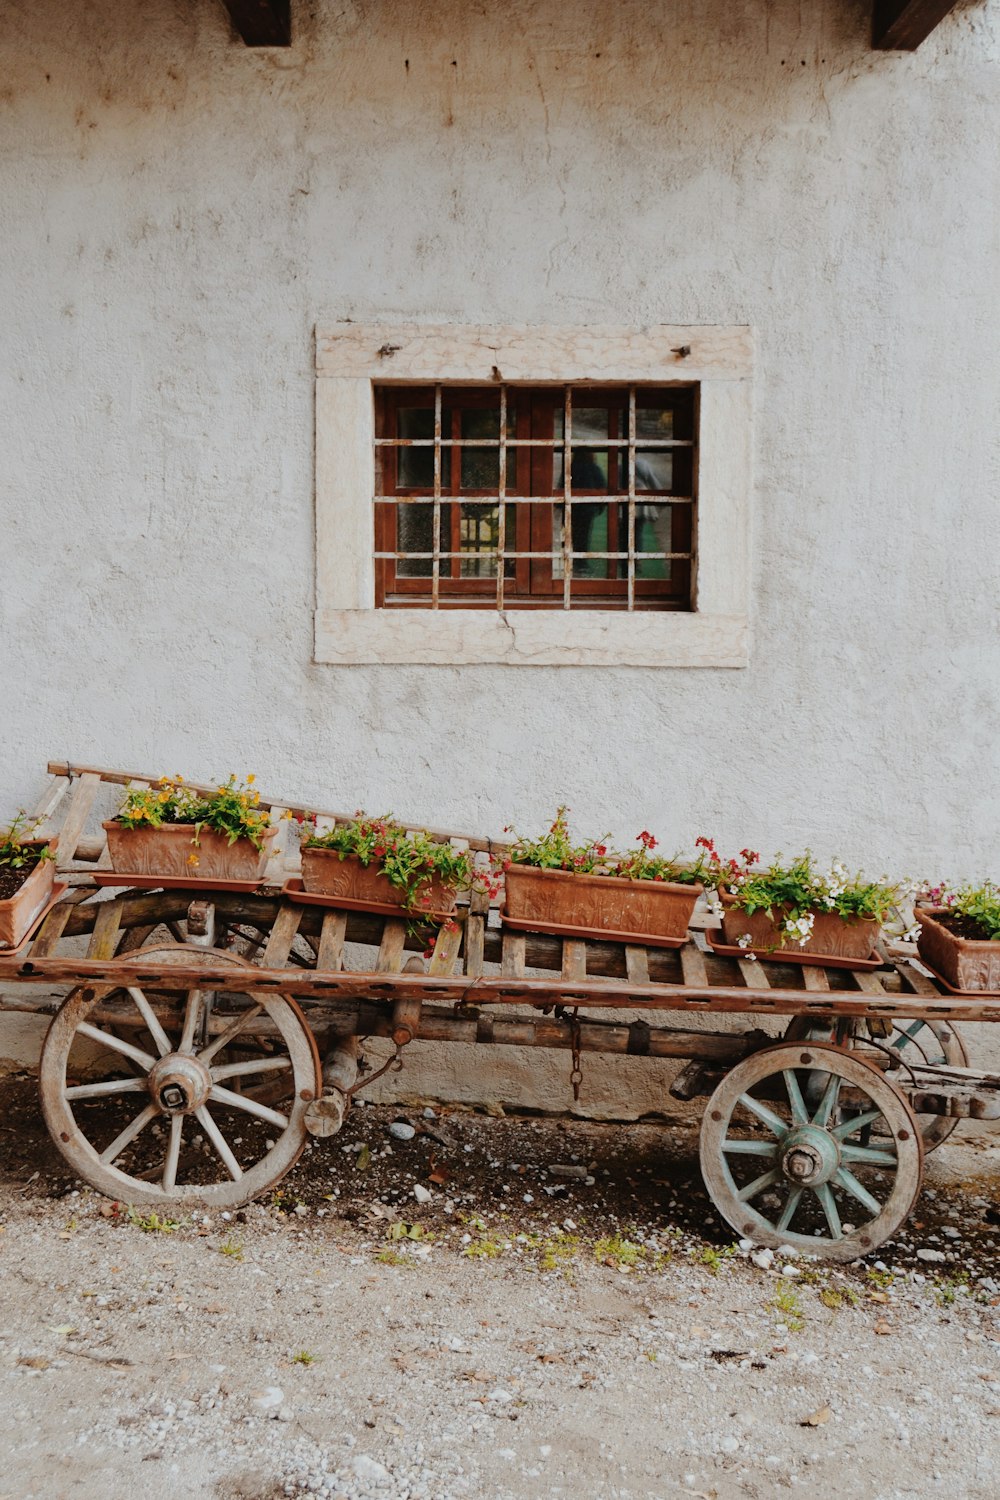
178,214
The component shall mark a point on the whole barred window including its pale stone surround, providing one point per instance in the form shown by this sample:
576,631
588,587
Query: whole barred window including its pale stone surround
533,497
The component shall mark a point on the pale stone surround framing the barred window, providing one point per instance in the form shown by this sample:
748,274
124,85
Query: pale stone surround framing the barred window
352,359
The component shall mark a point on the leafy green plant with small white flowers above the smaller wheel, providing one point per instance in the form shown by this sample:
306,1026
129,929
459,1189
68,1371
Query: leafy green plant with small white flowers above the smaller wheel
798,892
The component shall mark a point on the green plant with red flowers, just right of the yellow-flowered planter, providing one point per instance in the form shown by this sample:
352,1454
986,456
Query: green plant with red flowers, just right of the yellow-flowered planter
410,862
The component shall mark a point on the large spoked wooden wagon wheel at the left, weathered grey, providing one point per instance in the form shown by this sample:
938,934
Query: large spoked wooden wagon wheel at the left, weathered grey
188,1118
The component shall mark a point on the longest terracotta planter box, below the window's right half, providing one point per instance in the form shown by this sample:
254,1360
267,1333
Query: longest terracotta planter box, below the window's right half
599,907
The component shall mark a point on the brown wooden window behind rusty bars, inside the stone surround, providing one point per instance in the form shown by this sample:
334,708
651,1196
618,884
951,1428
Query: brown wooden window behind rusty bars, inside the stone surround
515,497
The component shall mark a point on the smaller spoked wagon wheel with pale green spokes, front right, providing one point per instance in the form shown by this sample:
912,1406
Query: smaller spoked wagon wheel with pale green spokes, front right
786,1156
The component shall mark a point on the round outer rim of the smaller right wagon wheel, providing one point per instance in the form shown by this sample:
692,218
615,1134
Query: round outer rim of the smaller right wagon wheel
834,1063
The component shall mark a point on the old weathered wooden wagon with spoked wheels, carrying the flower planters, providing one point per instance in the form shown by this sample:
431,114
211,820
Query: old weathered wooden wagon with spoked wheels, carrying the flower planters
208,1033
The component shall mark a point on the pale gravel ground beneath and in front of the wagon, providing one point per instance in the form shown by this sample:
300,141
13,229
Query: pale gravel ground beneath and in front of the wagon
561,1315
